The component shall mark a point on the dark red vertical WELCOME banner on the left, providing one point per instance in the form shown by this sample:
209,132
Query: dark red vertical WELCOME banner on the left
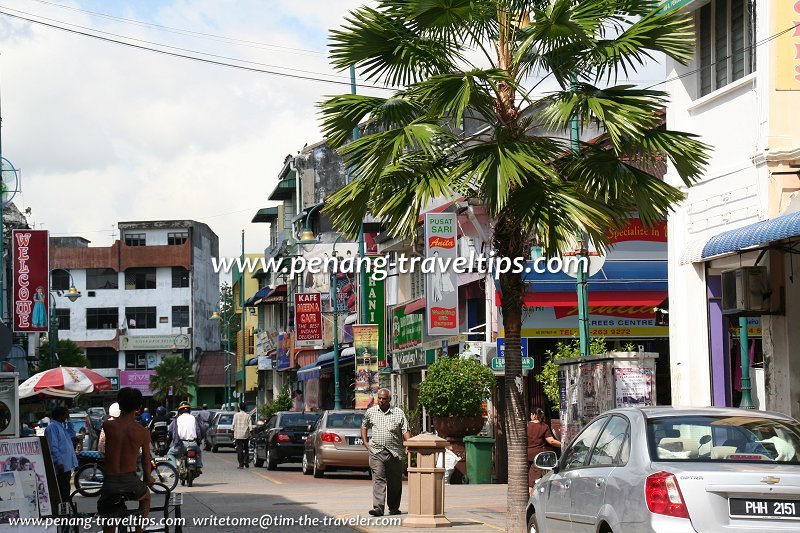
30,266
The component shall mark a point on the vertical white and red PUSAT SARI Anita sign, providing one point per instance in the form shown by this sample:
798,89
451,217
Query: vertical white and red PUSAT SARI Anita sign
441,286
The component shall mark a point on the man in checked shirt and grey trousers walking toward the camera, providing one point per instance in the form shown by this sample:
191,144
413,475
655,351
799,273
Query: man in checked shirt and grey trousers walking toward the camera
389,429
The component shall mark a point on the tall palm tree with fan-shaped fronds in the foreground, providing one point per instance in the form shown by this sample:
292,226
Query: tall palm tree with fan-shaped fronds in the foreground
538,187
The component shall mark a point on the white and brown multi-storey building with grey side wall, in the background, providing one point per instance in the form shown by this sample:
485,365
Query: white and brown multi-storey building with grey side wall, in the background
145,297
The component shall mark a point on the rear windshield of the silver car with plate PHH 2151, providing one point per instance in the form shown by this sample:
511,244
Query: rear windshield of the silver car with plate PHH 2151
724,439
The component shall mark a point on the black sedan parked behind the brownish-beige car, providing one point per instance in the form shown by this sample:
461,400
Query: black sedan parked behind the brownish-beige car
282,438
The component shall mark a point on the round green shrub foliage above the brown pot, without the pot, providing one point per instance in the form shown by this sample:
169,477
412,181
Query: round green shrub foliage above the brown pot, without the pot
456,387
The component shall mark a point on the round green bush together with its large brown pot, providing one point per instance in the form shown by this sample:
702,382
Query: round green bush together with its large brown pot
453,393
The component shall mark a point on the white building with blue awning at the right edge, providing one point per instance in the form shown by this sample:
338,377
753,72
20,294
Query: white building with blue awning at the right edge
743,217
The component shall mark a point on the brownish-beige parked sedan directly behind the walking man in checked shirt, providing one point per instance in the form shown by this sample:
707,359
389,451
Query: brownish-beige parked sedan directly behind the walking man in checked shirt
335,444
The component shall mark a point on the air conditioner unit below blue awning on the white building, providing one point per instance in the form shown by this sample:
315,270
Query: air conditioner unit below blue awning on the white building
745,291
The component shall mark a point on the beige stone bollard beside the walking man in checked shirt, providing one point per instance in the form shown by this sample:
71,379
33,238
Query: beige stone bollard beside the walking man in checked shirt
425,482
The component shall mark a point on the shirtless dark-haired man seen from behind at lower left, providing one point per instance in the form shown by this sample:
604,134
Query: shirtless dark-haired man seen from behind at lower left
125,438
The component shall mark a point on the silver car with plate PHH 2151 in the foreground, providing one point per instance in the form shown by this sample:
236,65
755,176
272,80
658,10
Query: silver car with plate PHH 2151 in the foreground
662,469
